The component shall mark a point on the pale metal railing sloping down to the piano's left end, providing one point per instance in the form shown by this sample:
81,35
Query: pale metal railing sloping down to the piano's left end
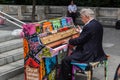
10,19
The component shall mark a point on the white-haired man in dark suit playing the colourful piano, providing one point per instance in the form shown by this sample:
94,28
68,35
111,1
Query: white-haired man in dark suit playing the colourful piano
88,44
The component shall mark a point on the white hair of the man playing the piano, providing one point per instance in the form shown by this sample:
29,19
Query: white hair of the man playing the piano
87,12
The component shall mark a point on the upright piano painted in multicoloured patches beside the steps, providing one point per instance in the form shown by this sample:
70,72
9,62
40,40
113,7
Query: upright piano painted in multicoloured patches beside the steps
44,48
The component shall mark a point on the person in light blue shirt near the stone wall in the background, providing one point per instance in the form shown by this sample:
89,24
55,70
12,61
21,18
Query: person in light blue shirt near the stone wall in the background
72,8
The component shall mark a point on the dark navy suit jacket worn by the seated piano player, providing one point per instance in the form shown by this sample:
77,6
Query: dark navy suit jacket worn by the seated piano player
89,43
